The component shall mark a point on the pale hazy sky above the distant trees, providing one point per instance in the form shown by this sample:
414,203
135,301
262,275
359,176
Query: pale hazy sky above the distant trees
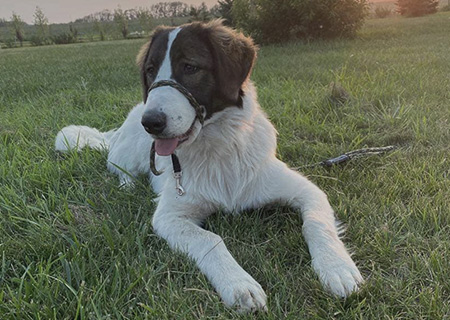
58,11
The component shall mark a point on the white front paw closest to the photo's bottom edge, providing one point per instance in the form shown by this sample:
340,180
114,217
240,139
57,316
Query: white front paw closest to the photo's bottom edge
244,294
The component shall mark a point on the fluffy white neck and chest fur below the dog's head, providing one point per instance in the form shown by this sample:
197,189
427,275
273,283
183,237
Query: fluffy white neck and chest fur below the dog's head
232,147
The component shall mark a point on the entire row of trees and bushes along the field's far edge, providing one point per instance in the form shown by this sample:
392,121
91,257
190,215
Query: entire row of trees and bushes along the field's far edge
267,21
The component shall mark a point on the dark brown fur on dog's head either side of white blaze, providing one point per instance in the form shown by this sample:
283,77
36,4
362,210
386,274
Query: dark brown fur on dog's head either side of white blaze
223,56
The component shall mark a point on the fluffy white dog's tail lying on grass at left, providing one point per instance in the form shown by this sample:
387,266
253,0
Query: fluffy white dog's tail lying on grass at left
77,137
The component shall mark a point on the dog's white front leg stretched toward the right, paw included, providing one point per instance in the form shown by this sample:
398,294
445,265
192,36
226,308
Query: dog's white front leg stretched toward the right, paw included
330,259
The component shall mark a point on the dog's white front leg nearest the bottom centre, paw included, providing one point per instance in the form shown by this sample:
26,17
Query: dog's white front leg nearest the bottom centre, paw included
178,224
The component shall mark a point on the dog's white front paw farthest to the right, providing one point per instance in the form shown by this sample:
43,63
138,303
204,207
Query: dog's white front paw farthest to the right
340,276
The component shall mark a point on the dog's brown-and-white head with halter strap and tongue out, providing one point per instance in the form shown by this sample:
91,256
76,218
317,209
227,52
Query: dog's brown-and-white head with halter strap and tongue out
211,61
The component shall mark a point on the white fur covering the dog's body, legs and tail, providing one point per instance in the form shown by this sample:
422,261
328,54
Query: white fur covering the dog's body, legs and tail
230,164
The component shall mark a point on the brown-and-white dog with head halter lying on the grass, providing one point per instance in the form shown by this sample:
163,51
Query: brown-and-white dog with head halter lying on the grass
227,155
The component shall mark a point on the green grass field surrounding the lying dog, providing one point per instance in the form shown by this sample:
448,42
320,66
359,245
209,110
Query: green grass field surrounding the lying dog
74,246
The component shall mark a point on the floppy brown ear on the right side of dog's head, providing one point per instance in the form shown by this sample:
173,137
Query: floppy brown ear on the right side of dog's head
234,56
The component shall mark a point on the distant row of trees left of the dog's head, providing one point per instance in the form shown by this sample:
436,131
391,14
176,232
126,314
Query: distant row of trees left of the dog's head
106,24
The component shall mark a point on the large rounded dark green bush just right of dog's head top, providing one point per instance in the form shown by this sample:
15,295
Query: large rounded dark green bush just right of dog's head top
270,21
